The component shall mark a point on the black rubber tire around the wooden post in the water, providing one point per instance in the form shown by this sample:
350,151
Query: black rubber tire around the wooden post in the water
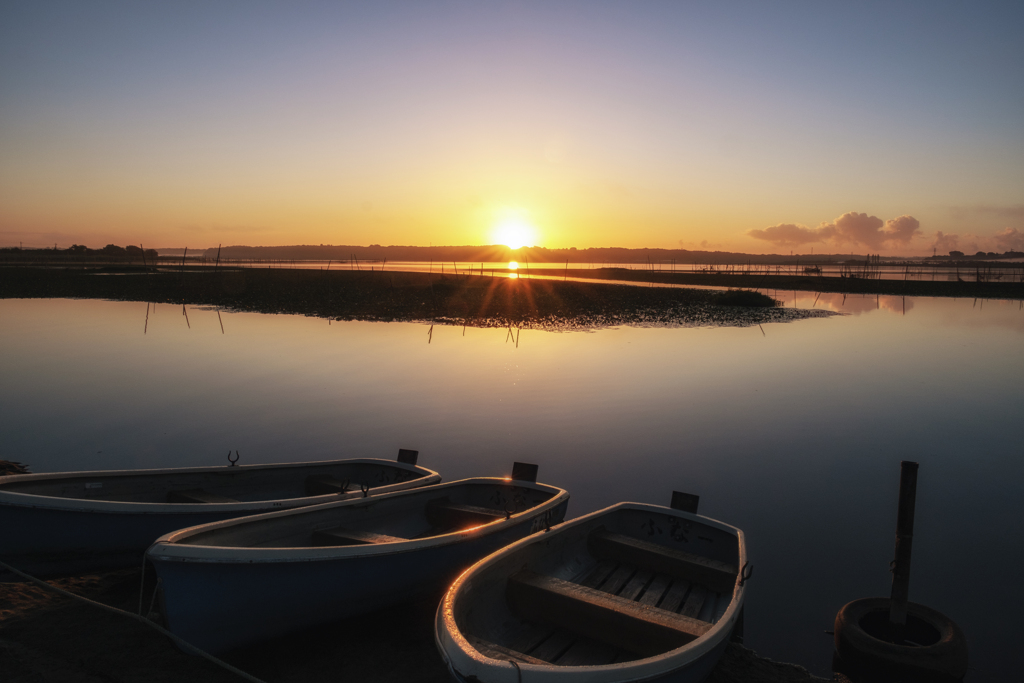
946,659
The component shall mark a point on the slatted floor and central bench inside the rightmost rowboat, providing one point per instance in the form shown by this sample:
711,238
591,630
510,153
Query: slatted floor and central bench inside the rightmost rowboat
615,612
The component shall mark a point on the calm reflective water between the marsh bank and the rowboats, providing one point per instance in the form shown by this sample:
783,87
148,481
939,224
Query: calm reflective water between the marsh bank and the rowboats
793,433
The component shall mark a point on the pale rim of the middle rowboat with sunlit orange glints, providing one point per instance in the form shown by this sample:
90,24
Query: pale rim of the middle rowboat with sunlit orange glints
169,547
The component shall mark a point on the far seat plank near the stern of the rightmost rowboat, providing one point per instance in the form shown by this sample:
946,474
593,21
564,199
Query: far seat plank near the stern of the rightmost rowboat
720,577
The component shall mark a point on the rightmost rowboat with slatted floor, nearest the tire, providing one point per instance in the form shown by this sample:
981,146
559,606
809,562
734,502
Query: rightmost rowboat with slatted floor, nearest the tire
630,593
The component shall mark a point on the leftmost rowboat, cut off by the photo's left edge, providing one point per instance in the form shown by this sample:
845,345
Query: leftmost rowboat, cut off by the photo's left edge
72,523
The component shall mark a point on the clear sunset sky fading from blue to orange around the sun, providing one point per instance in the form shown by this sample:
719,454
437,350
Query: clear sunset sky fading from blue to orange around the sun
890,127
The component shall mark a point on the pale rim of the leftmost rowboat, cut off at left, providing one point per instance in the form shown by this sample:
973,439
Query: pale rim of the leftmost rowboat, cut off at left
87,505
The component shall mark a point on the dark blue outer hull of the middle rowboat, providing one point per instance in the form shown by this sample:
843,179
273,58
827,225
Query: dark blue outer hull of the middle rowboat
222,601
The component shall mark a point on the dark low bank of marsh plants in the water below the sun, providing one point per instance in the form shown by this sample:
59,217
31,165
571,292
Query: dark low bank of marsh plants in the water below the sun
400,296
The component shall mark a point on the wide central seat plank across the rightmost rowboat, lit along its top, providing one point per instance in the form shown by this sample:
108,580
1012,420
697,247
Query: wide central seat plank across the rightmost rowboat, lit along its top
609,619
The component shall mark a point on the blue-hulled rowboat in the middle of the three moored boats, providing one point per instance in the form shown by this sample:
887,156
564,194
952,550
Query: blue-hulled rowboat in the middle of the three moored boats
238,582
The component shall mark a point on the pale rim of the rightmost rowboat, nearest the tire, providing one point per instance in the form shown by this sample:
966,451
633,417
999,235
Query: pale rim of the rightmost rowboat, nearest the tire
448,635
